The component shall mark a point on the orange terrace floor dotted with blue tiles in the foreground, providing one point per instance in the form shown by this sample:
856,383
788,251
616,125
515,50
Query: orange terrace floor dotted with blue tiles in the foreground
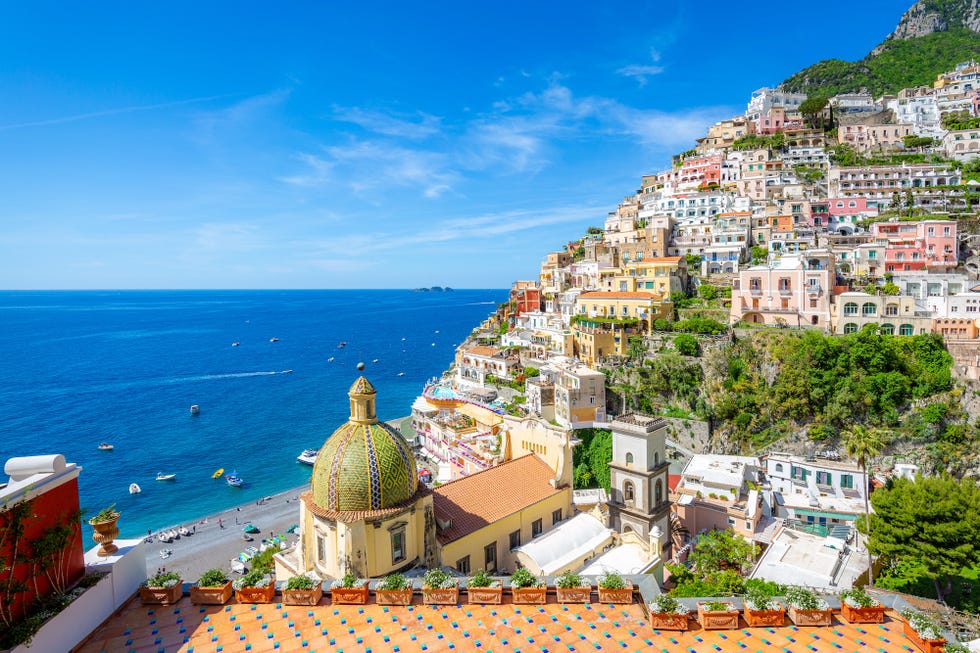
550,628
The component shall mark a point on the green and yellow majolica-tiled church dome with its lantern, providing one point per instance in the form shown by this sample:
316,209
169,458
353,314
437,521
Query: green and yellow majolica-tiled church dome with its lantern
365,465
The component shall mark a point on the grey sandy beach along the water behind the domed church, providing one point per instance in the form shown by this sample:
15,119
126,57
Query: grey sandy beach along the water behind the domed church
216,538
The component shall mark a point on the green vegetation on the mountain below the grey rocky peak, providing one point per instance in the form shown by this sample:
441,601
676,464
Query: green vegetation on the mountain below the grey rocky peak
898,65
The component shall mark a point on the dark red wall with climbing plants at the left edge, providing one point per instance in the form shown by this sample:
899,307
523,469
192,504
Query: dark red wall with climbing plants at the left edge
50,508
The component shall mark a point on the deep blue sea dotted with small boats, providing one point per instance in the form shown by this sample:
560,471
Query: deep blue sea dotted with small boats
81,368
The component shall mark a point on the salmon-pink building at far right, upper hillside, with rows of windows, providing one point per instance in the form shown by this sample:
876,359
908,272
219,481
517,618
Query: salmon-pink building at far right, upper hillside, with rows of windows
930,245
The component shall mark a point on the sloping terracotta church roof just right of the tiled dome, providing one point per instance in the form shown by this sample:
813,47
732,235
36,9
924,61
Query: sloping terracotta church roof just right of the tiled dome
475,501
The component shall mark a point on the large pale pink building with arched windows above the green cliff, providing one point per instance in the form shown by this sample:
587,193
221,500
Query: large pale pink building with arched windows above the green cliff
792,291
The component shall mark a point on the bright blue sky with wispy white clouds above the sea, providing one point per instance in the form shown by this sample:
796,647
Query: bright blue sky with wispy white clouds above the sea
346,145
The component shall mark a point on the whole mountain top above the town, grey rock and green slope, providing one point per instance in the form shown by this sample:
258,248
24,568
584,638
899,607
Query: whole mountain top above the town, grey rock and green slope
932,37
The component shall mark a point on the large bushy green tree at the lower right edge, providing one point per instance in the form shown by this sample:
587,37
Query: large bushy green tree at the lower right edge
932,521
